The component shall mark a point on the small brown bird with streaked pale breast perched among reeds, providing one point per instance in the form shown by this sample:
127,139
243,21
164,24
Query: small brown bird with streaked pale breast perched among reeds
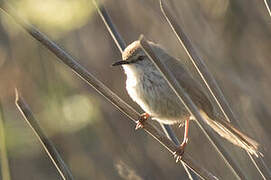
148,88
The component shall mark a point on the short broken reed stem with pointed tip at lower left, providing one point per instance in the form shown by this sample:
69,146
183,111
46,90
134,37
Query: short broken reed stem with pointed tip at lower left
49,147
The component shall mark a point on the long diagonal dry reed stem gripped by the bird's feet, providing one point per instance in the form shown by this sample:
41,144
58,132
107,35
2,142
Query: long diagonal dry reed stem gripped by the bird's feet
103,90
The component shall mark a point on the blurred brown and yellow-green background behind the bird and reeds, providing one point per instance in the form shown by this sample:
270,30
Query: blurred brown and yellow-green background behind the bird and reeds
94,138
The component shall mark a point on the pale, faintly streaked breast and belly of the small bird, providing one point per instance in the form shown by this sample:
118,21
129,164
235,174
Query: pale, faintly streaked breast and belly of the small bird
154,97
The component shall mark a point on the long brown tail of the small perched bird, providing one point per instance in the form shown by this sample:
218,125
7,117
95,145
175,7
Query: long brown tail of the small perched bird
227,131
